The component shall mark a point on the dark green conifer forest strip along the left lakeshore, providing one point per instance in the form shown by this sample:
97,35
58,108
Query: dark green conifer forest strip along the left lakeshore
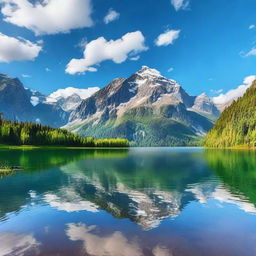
18,133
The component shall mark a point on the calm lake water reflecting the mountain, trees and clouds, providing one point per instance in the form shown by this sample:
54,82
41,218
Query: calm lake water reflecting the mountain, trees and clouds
141,201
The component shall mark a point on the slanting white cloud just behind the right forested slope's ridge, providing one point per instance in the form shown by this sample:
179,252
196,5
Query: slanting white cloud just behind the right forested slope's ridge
234,93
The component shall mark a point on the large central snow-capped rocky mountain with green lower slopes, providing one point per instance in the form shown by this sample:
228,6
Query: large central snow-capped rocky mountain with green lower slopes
145,108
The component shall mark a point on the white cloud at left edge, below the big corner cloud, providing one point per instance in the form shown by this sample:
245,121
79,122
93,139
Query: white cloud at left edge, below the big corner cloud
17,49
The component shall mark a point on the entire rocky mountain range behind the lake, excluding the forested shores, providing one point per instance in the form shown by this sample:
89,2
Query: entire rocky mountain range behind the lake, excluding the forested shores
146,108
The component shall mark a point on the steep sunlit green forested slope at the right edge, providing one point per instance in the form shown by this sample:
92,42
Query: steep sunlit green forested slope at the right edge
236,125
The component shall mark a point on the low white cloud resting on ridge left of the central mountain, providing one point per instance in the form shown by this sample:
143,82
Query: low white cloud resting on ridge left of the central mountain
69,91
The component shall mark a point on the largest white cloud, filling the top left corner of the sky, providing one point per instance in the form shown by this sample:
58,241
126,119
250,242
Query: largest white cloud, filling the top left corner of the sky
48,16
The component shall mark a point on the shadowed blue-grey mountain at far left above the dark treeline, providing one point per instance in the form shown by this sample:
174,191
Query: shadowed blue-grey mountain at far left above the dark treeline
18,103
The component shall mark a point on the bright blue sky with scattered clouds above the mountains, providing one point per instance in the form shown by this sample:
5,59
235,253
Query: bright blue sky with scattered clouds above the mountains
214,48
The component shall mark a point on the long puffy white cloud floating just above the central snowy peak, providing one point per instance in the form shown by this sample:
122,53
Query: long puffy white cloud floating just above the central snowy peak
100,50
